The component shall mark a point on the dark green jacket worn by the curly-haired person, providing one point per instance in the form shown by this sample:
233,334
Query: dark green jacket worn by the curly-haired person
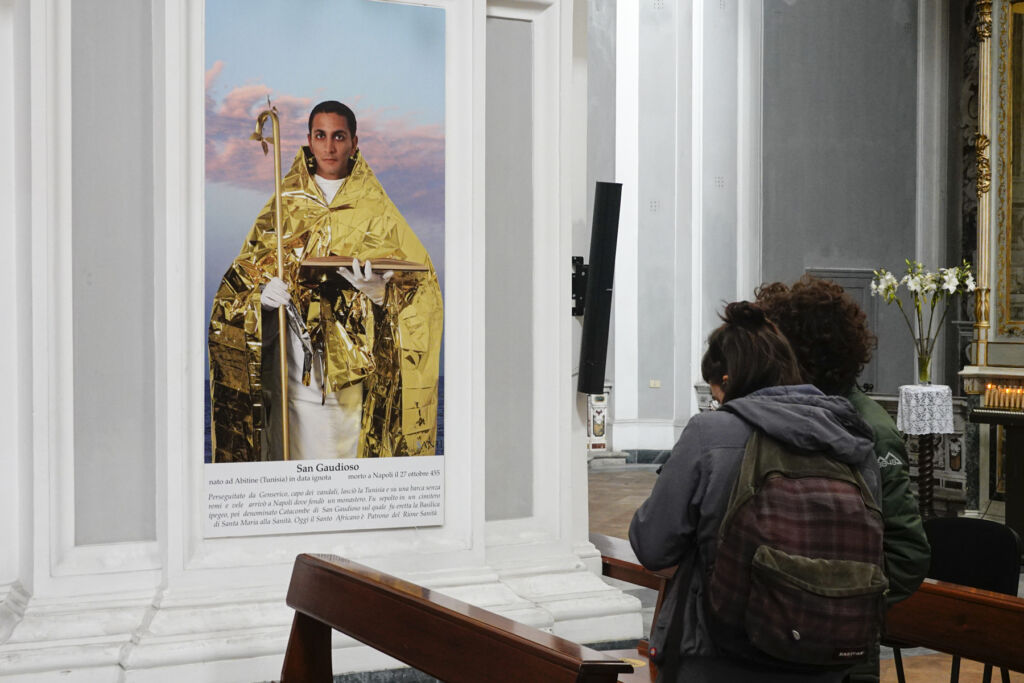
907,550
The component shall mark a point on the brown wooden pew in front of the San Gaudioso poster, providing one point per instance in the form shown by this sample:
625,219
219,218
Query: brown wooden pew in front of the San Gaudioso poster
444,637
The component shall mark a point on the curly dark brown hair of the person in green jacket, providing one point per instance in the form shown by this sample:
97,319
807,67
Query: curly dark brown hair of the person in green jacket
827,329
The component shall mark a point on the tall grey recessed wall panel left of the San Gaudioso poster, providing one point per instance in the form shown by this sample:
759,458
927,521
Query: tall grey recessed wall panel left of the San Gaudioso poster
112,279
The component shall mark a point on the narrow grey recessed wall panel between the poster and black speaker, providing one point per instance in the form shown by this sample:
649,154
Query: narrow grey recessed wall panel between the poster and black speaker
509,316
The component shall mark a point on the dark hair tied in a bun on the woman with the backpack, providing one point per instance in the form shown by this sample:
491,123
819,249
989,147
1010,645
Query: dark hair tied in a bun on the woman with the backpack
751,351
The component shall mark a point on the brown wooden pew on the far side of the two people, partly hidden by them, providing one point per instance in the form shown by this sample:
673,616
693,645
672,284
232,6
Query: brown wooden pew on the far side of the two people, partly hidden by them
958,620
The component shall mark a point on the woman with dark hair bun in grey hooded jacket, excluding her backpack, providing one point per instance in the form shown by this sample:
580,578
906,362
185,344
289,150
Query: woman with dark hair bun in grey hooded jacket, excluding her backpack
752,370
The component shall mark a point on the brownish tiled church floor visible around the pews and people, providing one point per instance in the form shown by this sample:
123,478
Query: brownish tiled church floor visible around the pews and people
617,491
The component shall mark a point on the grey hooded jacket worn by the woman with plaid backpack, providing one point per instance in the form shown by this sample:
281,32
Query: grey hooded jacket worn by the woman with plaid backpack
678,525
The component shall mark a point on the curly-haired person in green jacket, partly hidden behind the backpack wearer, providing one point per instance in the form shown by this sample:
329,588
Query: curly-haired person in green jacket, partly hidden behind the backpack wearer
830,336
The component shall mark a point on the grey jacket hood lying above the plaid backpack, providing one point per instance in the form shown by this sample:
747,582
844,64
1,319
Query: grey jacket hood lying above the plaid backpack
808,420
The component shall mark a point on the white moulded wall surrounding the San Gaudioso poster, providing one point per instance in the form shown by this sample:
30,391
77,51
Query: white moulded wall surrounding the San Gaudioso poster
115,582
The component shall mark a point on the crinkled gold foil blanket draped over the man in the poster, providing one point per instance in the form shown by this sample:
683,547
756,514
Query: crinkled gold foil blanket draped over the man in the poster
394,350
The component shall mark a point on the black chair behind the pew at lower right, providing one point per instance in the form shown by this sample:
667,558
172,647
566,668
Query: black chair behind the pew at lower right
976,553
